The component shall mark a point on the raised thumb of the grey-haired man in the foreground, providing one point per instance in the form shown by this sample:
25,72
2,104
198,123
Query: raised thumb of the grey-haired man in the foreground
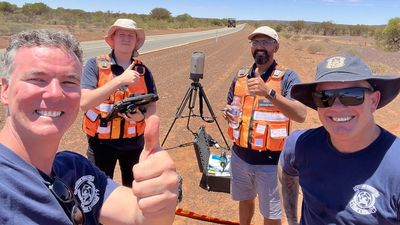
151,137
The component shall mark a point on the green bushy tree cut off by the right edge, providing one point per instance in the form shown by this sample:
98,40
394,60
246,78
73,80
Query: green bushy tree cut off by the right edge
391,34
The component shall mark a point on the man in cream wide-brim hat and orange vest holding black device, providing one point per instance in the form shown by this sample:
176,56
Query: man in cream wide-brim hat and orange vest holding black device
108,79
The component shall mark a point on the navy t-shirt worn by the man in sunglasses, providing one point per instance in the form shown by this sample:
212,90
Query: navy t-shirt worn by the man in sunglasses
338,188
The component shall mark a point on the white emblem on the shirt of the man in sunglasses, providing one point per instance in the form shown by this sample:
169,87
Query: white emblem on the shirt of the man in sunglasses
363,201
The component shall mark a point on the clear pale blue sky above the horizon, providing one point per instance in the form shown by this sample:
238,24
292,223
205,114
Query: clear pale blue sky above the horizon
369,12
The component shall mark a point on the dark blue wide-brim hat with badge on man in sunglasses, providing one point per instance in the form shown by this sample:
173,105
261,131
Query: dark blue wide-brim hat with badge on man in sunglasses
346,68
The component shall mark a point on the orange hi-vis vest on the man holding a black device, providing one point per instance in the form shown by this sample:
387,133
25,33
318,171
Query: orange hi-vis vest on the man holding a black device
94,122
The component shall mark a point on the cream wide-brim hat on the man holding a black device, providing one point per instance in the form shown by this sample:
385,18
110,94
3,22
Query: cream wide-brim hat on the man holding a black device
126,24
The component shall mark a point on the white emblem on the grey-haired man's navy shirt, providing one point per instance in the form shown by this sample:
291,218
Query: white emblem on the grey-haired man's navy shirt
86,192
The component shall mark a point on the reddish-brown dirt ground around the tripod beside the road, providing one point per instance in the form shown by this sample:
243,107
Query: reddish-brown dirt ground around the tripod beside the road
224,56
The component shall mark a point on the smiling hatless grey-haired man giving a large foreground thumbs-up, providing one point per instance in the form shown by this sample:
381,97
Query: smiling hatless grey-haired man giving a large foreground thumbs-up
41,75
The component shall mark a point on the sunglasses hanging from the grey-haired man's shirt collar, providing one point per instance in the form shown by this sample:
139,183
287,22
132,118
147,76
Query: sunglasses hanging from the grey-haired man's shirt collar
65,196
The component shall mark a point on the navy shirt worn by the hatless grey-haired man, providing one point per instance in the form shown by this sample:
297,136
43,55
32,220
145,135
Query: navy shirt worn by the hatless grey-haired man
26,199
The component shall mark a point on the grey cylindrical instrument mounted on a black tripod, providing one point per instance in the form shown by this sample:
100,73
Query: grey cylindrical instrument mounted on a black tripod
195,88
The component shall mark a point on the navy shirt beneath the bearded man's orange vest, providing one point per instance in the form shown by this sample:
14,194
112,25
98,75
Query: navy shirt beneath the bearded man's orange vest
263,157
